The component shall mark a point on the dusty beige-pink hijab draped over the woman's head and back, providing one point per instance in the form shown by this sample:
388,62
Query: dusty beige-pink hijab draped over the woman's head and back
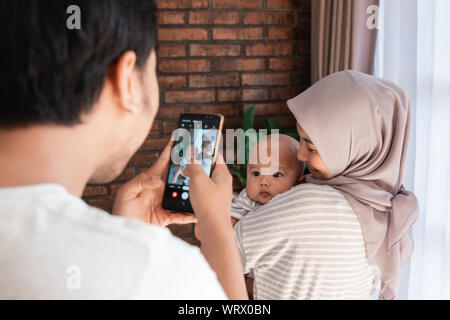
360,127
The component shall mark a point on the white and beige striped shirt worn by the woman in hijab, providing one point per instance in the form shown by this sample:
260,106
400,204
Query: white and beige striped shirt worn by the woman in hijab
306,243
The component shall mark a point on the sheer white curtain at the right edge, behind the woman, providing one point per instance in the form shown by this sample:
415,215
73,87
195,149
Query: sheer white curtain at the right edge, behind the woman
414,51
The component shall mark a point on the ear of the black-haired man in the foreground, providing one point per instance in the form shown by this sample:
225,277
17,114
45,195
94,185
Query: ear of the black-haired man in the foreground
123,78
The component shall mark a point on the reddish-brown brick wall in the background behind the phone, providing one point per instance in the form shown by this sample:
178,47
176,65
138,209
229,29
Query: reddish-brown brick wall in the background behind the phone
222,56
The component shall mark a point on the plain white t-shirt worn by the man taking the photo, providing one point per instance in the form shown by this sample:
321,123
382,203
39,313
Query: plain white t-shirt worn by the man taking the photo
54,246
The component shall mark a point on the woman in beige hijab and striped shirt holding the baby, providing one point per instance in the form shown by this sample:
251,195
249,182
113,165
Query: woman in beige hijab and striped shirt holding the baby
346,228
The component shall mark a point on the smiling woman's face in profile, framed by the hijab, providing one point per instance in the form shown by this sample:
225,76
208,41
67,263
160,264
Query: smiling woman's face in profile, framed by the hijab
309,154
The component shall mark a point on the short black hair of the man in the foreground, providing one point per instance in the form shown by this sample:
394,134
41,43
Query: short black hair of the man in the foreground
52,73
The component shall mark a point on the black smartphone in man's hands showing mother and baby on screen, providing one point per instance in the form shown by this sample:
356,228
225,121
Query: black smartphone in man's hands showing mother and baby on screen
197,135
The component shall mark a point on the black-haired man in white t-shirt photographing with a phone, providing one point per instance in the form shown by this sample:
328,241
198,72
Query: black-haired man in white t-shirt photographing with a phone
75,105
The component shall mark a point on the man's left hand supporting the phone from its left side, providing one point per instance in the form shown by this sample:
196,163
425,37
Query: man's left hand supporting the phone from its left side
141,197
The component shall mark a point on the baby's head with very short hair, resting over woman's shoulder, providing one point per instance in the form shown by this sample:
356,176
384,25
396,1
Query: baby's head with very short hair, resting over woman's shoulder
266,179
